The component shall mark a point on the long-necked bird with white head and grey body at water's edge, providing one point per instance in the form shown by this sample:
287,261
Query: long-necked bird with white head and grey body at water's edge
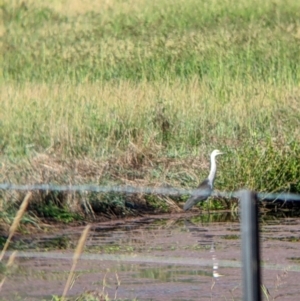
205,188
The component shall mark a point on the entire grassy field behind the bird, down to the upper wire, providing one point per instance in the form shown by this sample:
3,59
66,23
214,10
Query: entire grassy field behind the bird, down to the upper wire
140,92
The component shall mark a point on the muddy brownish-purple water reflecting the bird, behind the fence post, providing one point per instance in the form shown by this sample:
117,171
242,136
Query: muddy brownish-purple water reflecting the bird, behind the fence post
162,258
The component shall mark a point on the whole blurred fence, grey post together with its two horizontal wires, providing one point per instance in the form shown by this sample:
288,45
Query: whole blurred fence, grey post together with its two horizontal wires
249,222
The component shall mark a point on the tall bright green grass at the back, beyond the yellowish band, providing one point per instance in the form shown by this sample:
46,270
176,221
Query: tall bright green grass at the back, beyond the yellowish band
245,40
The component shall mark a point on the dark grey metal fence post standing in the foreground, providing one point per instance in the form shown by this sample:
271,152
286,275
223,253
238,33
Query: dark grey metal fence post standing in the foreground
250,246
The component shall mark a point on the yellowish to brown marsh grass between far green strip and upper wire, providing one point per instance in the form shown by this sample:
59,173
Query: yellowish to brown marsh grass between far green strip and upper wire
127,128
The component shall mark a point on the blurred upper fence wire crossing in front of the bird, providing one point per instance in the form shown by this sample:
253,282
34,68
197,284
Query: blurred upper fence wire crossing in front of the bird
169,191
